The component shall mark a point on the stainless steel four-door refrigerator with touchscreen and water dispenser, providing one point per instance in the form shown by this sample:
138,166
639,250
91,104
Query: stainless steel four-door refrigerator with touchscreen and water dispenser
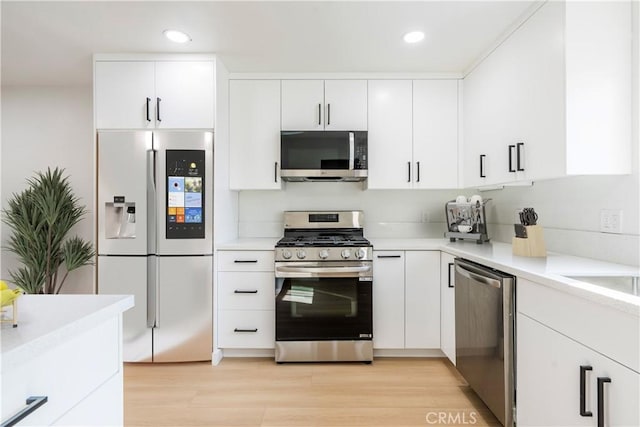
155,211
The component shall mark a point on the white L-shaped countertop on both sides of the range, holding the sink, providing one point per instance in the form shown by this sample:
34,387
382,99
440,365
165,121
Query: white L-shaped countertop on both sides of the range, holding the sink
549,270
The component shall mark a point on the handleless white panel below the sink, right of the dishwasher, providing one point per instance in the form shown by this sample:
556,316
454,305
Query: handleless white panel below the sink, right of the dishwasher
611,332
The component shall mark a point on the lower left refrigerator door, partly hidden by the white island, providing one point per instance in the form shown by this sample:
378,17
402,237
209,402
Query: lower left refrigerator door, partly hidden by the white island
122,275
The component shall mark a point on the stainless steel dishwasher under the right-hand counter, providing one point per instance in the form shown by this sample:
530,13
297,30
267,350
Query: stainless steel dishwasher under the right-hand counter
485,355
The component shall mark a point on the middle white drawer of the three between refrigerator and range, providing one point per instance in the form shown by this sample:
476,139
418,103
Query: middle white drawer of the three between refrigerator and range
246,290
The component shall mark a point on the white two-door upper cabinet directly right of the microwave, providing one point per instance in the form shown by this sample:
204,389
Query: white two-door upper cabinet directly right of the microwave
413,134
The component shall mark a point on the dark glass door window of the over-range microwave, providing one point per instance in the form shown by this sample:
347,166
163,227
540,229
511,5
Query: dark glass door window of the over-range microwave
315,150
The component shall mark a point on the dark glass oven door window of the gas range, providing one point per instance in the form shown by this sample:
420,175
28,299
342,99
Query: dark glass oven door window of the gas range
323,309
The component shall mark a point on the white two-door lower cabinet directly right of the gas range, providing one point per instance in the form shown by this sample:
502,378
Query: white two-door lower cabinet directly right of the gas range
406,299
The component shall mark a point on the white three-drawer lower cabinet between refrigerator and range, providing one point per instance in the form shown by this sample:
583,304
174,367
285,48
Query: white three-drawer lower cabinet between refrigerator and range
246,300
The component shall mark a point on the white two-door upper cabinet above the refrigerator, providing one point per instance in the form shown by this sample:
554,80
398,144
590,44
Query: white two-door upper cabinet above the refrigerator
154,95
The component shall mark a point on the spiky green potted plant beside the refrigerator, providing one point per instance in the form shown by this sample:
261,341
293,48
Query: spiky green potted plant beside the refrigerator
40,217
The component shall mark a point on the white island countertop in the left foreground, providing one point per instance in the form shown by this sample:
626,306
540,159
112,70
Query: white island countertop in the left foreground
45,321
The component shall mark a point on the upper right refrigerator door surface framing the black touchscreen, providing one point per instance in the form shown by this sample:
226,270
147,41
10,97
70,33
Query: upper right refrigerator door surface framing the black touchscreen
185,140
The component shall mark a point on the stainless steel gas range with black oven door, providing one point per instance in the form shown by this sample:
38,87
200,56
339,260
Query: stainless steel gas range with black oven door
324,278
